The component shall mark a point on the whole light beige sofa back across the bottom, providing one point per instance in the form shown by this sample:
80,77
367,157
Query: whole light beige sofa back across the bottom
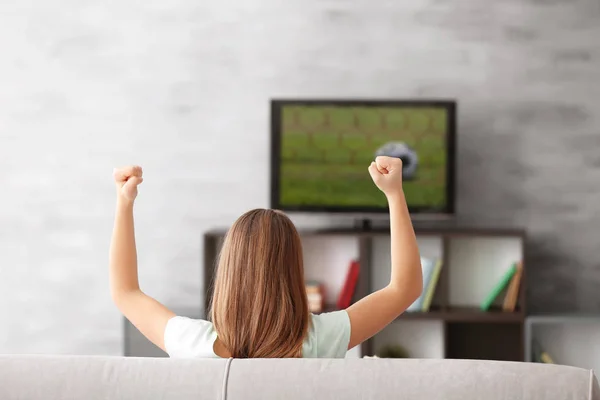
90,378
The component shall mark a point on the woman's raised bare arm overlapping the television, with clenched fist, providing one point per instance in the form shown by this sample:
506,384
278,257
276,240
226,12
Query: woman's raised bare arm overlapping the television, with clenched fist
371,314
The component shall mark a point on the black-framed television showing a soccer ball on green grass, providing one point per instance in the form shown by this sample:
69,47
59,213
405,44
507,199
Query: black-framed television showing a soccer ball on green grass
320,151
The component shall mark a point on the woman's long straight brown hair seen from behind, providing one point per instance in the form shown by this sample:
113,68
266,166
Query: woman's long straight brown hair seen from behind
259,306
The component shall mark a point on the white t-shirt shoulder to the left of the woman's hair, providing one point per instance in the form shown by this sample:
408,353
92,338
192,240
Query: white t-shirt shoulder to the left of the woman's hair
186,337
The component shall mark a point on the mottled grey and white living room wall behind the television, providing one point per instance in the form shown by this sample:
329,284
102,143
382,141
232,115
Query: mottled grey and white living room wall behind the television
182,89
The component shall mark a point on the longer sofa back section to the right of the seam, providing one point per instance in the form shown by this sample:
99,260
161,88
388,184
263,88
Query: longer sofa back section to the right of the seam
406,379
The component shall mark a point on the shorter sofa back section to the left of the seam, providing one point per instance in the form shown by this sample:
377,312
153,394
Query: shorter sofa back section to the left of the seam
114,378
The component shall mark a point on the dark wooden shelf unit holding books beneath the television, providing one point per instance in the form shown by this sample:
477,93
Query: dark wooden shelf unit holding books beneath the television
467,331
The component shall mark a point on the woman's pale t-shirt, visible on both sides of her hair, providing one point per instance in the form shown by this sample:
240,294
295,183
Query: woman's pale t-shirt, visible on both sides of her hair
328,337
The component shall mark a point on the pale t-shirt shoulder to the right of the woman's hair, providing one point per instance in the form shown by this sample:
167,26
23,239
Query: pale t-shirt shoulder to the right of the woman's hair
328,335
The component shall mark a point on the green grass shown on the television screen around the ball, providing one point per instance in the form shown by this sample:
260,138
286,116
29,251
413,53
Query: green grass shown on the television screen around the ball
325,152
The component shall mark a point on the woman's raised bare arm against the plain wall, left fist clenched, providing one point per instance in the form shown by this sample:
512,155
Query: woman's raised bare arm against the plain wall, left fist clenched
146,314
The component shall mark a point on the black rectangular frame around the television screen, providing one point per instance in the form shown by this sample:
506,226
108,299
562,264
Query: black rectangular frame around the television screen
450,105
